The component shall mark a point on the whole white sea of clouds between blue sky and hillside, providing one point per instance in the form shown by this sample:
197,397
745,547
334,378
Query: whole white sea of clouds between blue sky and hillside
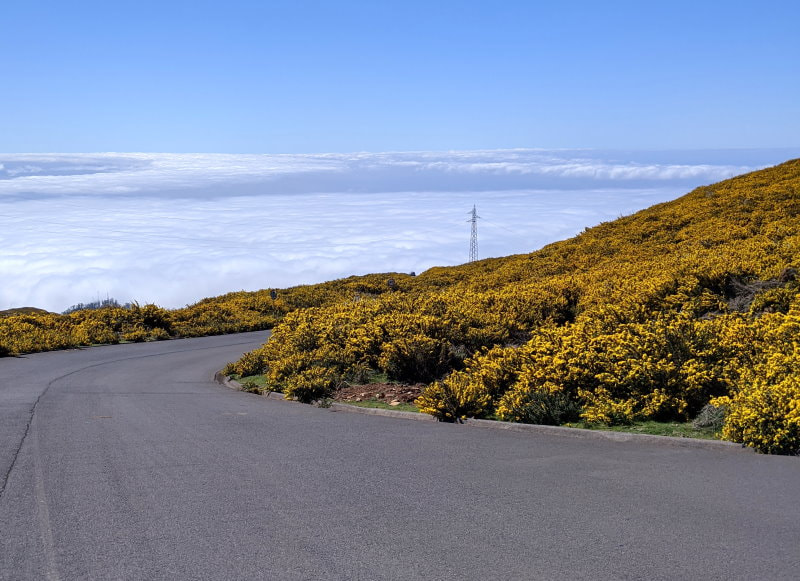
174,228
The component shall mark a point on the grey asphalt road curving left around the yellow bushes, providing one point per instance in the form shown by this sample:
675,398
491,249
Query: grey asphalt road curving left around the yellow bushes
129,462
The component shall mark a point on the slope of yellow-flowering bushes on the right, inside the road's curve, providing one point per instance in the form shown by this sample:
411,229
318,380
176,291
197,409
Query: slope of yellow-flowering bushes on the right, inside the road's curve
651,316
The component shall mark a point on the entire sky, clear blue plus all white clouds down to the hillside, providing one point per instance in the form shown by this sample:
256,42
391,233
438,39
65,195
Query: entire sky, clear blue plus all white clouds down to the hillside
551,117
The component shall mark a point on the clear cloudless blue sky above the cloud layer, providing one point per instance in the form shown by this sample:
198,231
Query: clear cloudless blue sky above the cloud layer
301,77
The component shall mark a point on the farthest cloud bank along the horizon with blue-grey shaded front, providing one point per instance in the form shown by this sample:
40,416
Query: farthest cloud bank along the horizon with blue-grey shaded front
226,174
